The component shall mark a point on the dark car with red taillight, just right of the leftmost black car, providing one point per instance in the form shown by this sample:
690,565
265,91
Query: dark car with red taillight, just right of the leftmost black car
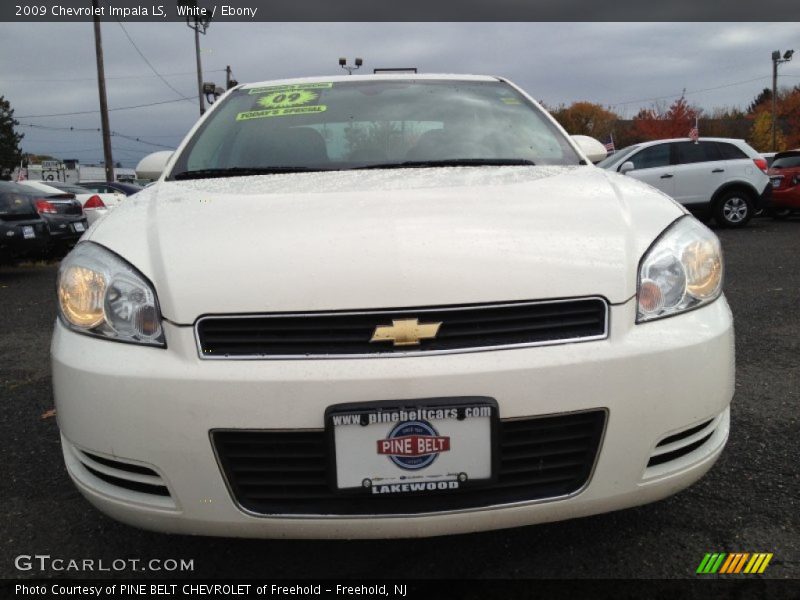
62,214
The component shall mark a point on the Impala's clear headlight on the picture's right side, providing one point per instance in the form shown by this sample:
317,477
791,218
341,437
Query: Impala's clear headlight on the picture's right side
681,270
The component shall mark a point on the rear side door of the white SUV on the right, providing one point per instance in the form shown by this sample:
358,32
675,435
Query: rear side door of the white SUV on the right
699,172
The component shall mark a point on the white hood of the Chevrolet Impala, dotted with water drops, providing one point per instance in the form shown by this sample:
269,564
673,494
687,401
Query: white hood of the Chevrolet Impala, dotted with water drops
387,238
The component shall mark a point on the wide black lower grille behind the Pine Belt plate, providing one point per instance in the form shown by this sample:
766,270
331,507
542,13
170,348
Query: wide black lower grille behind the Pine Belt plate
286,472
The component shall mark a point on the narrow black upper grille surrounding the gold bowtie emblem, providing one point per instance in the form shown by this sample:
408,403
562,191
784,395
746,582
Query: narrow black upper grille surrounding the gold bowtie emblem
350,333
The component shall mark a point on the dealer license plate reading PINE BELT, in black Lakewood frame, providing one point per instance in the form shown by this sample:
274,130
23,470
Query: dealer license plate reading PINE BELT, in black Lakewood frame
425,446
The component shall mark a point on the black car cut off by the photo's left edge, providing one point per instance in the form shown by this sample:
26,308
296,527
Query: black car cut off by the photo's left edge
23,233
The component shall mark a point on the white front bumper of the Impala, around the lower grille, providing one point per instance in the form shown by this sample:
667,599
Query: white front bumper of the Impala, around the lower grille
153,409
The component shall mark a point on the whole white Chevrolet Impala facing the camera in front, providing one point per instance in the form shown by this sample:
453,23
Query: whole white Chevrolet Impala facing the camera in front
384,306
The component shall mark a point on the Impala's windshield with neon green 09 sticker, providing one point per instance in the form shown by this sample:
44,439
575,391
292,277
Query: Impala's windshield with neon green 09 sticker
372,124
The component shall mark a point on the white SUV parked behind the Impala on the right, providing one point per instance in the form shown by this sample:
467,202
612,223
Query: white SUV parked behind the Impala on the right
715,177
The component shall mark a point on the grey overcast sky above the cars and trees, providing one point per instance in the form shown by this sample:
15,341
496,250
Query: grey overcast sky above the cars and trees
50,68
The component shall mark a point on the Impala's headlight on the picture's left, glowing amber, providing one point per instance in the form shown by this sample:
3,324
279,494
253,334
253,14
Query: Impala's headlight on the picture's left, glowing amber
102,295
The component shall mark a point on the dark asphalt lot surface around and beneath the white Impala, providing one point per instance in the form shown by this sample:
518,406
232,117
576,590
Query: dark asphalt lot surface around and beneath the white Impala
748,502
